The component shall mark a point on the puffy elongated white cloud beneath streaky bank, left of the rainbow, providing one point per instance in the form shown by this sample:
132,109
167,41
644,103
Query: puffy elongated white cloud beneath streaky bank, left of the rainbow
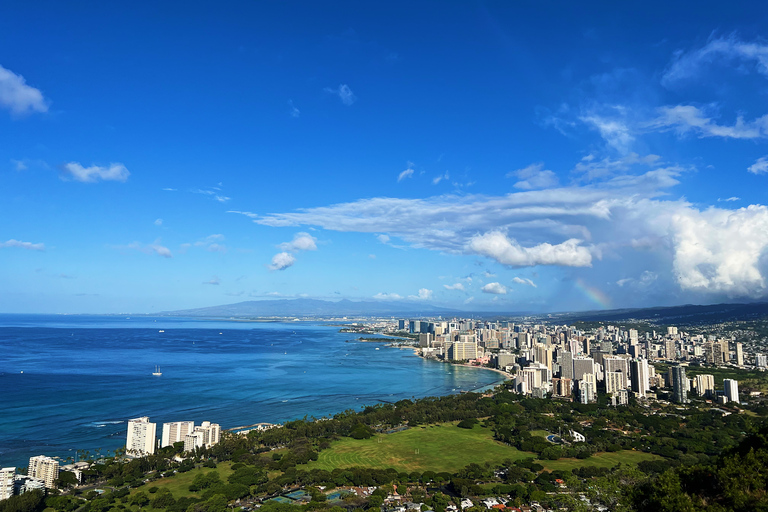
507,251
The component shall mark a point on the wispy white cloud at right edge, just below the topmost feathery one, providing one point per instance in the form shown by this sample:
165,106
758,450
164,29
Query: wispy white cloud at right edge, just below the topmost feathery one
685,119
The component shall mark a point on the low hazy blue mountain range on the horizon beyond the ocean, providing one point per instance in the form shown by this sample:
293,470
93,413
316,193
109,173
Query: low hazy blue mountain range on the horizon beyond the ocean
314,308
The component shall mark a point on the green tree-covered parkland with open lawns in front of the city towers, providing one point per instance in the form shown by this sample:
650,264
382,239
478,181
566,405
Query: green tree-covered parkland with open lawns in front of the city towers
439,449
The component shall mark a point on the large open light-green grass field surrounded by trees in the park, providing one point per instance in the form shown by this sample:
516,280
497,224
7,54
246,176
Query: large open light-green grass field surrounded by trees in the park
436,448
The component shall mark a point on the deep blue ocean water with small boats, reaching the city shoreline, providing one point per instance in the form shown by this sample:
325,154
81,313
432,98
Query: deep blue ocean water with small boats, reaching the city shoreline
85,376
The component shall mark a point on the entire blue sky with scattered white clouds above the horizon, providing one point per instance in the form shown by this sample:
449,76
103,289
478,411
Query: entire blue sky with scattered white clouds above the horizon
506,156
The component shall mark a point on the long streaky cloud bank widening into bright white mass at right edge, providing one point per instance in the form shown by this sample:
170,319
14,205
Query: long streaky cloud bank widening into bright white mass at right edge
622,215
